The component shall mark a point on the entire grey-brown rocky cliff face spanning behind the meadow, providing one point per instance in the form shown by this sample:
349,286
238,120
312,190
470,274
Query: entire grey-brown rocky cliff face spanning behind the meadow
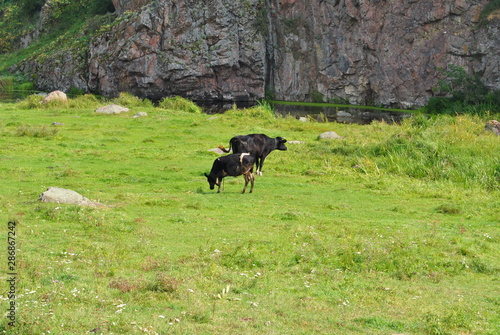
363,51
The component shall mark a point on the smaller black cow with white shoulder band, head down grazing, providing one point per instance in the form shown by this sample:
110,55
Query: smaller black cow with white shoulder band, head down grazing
232,165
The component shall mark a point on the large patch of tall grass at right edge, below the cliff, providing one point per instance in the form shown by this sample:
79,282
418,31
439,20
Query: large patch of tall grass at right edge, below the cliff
443,149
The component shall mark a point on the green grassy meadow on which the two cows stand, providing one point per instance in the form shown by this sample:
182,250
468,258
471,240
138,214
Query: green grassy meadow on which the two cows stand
392,230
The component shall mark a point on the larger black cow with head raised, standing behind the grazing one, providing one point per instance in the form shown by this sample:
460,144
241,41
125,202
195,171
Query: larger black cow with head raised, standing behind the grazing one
258,145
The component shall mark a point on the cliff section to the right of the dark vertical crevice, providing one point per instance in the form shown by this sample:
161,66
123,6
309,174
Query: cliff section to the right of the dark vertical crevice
378,51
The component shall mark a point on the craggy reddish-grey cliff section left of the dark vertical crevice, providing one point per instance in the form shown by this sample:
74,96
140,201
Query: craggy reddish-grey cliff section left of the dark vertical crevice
197,49
